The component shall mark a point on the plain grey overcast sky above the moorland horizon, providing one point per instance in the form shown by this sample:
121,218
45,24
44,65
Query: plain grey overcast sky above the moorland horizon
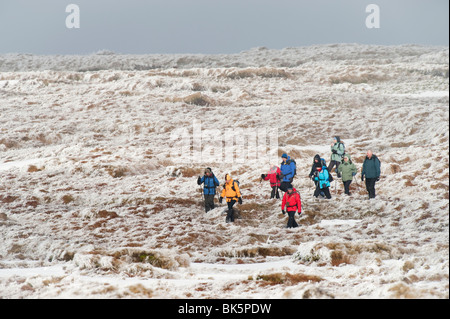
214,26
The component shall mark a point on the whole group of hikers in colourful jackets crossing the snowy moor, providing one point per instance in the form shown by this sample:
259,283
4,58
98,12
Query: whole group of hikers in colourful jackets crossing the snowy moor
281,179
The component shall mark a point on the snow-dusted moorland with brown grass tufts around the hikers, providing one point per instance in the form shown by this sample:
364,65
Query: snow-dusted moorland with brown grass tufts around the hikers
94,203
